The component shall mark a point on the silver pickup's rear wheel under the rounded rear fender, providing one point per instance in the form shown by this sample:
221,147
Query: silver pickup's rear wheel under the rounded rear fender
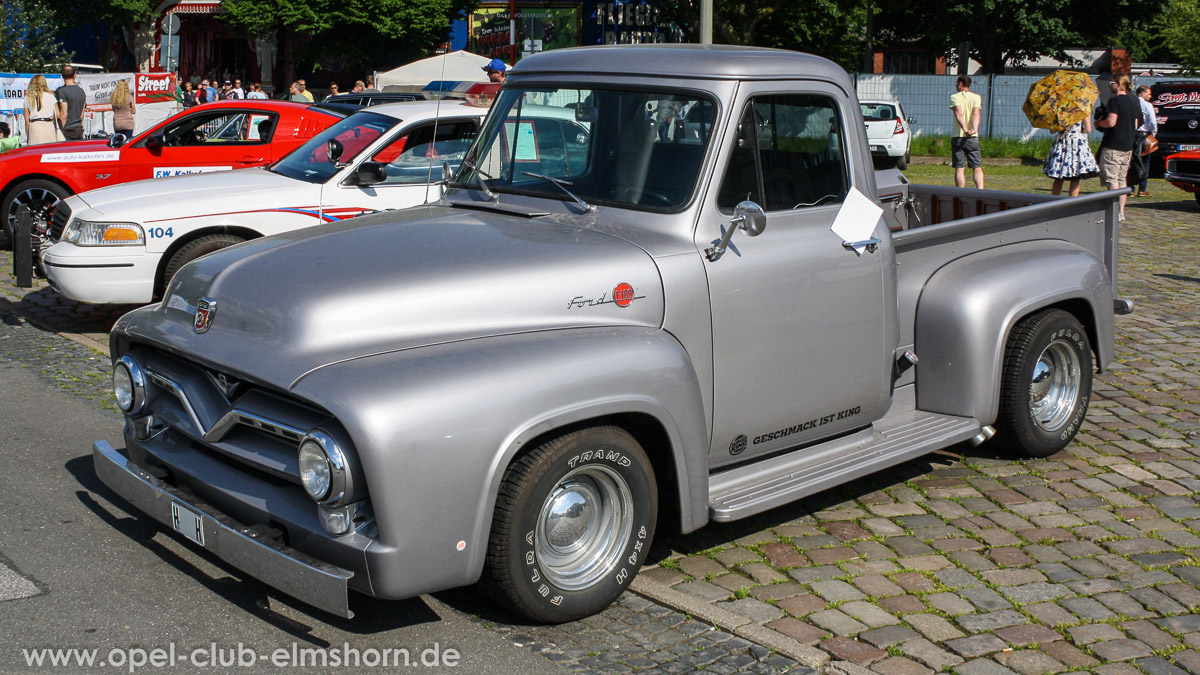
1048,380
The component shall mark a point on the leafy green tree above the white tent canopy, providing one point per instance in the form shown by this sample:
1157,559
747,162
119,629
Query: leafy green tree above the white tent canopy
352,34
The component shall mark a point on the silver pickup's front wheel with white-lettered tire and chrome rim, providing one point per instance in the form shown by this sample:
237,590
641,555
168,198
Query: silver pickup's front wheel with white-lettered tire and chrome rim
574,523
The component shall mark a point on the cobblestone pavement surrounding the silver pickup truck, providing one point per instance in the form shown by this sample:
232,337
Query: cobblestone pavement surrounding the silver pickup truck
962,561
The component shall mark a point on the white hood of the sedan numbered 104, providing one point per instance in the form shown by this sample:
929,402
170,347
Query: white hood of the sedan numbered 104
199,195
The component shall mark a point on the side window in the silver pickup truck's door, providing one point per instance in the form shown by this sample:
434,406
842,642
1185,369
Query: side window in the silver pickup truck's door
789,153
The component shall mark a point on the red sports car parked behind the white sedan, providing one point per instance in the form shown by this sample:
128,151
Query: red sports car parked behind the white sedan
219,136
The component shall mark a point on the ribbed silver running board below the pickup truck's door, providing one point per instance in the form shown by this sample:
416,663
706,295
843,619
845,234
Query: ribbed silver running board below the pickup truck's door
766,485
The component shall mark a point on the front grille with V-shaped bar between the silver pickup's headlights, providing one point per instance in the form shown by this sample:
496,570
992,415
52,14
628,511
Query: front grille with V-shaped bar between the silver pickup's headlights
253,426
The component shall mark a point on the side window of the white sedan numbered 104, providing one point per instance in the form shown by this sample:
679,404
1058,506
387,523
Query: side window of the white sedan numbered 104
417,157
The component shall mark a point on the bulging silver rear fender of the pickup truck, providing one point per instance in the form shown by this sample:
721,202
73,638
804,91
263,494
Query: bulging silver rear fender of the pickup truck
969,308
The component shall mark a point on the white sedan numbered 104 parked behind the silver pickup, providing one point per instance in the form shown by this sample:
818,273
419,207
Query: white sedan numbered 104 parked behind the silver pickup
123,244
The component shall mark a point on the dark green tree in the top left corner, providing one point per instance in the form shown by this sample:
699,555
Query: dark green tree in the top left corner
28,39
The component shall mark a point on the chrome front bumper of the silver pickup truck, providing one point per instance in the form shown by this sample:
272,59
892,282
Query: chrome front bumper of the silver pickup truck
290,571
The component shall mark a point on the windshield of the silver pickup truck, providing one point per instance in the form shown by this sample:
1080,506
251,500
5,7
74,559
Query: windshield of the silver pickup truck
635,150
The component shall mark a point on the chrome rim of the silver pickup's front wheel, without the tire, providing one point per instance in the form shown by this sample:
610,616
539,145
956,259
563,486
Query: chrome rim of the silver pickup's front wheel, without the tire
584,527
